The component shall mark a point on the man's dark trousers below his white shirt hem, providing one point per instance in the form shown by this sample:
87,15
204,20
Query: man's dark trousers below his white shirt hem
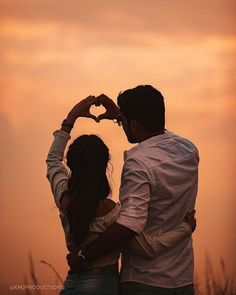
133,288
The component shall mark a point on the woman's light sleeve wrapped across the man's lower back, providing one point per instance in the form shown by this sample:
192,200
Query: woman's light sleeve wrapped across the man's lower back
150,246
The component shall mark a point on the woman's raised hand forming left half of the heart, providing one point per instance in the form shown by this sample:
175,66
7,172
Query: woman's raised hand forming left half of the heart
82,109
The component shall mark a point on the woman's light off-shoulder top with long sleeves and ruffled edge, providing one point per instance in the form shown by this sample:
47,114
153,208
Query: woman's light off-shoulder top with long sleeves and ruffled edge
143,244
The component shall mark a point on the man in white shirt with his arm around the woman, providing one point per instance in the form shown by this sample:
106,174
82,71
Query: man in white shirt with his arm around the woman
158,187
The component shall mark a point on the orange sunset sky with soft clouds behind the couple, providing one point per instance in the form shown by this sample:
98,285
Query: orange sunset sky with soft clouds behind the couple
55,53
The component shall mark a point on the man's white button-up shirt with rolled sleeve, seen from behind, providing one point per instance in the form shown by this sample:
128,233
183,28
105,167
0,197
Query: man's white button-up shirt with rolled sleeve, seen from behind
167,168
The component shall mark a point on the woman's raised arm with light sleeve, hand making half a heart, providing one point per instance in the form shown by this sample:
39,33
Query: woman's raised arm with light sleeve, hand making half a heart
57,173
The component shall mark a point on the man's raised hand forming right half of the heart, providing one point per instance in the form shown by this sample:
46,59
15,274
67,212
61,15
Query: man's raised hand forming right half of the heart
112,110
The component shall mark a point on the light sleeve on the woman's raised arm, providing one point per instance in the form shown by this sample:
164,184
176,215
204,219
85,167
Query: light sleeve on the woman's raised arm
57,173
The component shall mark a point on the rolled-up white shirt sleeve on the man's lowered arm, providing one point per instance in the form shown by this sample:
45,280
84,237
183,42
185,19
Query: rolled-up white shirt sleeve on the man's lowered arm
134,195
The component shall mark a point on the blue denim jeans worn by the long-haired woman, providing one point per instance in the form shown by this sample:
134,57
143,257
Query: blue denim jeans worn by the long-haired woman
101,281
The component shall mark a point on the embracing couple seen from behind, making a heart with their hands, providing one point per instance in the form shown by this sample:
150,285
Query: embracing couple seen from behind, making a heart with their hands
152,224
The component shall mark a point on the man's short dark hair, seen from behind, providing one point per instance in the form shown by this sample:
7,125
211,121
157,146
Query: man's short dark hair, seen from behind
144,104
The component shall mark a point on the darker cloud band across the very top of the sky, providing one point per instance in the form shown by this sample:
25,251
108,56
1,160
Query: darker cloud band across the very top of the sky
163,17
